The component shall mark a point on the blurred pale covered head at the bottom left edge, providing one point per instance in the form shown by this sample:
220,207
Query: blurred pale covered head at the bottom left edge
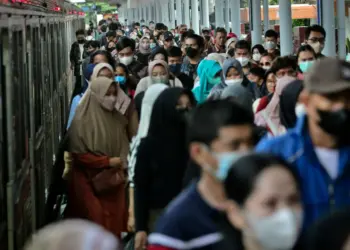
72,235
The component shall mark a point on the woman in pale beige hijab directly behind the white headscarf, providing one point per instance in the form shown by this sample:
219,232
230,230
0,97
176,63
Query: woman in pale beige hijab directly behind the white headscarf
158,72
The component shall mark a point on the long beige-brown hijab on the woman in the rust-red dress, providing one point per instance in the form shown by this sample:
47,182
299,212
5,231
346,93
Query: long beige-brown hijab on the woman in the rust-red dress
95,129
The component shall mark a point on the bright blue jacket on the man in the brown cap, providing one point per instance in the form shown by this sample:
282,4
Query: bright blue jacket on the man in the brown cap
321,195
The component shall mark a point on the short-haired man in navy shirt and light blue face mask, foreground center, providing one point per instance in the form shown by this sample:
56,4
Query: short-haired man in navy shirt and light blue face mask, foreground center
219,131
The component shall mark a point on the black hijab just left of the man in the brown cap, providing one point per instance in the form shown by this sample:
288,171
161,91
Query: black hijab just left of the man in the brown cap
288,100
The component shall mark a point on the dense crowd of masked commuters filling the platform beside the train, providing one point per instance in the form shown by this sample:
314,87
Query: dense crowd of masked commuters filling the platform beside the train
201,141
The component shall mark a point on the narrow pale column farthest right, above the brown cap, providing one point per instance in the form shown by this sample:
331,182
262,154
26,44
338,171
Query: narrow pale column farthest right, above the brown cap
341,29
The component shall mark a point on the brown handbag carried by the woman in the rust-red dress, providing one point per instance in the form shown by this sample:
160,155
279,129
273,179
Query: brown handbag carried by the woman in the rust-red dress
108,180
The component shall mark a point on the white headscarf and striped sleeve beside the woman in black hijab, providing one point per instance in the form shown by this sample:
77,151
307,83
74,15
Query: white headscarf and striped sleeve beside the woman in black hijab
148,101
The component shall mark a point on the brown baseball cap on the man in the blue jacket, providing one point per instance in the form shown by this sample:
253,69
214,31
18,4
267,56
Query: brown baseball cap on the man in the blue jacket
328,75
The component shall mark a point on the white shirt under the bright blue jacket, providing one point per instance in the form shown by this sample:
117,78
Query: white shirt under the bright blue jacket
329,159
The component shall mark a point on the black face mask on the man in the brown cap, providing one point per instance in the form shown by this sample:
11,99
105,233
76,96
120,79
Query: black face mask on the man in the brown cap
336,123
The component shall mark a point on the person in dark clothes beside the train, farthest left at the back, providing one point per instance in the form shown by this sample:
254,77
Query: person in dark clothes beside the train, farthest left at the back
76,56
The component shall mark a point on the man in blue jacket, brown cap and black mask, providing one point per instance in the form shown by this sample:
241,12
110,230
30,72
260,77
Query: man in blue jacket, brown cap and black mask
318,146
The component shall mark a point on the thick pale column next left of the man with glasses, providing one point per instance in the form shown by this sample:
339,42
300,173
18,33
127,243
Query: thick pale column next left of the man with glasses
286,32
